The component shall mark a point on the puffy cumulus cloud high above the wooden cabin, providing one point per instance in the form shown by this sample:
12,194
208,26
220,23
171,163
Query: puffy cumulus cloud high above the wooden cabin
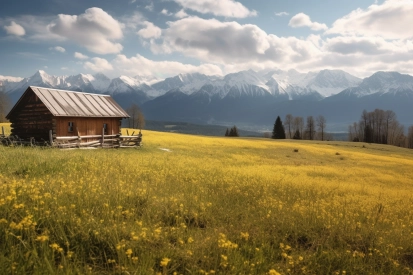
95,30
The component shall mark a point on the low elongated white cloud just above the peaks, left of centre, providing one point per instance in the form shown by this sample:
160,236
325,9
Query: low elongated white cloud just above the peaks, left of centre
139,65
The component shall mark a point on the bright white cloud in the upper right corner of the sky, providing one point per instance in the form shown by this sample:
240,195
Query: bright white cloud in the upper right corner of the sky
391,20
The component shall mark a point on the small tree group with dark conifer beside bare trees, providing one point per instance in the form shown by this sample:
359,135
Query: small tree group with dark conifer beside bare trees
294,128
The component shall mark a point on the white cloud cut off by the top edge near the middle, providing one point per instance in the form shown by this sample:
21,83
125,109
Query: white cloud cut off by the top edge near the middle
227,8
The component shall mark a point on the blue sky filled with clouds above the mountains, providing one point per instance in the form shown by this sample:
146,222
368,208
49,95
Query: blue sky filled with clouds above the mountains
215,37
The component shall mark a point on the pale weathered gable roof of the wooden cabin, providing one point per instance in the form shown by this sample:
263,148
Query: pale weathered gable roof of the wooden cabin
76,104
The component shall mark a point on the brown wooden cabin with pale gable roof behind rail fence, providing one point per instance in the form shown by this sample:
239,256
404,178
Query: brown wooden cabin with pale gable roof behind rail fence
66,113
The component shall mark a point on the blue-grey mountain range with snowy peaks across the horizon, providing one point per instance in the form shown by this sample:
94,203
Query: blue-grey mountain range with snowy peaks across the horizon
246,98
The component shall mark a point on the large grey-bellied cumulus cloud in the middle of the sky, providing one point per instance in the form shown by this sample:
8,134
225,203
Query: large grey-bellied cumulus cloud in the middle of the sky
230,42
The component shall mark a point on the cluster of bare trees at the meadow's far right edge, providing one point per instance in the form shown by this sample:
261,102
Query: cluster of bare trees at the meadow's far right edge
380,126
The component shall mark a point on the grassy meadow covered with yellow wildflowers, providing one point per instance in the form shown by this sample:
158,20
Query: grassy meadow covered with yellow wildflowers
186,204
